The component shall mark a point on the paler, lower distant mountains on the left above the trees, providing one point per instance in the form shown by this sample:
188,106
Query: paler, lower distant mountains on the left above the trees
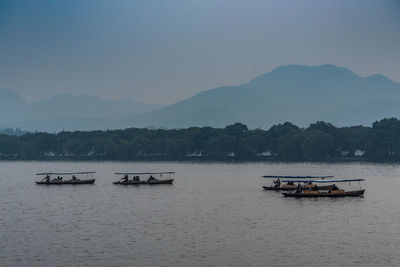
73,111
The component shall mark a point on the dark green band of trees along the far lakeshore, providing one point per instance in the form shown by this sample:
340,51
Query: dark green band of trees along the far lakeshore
321,141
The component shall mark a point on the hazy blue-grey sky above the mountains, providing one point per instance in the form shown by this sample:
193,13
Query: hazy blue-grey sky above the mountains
164,51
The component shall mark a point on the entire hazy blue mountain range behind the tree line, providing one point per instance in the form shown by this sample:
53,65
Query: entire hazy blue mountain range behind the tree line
295,93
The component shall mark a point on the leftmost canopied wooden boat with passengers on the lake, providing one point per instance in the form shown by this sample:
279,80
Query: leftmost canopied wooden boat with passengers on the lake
59,180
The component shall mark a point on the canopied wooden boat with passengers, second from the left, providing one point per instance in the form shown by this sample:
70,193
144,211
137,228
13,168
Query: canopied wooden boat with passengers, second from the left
150,181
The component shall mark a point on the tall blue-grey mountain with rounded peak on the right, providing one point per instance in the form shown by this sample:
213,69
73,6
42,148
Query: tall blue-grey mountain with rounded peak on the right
295,93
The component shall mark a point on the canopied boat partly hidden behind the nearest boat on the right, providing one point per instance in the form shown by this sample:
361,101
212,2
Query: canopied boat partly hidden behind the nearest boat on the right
289,186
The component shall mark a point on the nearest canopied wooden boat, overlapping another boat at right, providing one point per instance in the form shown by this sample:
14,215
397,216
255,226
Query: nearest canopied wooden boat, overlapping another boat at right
336,192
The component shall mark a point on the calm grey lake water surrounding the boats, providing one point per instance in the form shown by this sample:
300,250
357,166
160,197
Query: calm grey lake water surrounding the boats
213,215
